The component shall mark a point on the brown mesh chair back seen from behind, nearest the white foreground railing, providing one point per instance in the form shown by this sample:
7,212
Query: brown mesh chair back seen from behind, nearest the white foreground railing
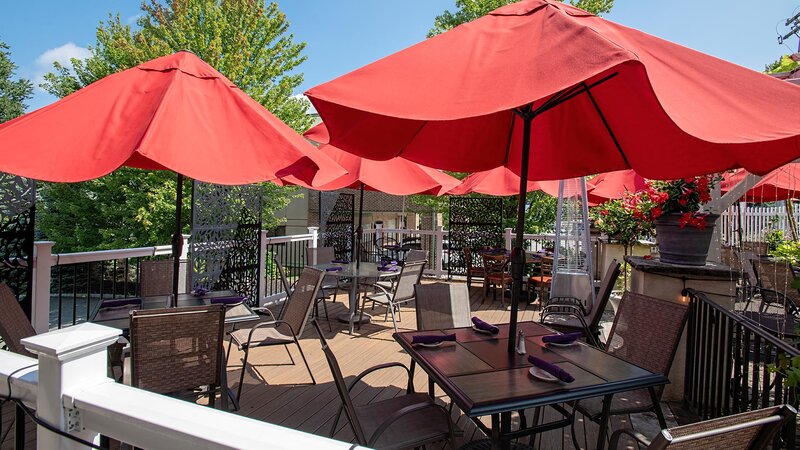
175,349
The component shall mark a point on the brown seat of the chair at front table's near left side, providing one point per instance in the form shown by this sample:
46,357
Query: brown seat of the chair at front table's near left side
409,431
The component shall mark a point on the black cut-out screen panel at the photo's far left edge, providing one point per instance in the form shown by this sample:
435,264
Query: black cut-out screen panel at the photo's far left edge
17,206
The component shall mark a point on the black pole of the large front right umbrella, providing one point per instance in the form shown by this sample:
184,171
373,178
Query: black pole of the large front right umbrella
518,253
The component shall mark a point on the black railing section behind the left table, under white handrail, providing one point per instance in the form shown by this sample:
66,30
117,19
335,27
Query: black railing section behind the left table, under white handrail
75,289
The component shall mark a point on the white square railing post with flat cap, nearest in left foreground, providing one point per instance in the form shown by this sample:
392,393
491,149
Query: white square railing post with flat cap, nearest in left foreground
69,359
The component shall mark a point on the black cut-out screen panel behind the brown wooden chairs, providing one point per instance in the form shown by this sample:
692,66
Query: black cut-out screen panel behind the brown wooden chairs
475,222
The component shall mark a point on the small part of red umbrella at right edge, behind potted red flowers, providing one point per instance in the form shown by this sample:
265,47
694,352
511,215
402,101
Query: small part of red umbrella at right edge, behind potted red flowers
782,183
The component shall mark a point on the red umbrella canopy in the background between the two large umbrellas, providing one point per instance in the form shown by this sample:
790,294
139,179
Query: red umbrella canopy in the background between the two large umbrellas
396,176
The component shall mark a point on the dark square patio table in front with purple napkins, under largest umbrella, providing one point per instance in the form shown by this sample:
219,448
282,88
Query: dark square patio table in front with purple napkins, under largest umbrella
482,378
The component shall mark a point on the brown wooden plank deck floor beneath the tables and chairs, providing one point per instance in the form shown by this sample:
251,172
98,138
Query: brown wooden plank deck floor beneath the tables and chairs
278,392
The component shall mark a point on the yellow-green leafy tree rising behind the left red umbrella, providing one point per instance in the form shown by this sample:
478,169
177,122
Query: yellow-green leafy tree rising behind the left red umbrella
245,40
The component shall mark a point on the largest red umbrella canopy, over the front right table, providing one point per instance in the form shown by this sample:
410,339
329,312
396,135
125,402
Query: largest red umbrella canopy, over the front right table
604,97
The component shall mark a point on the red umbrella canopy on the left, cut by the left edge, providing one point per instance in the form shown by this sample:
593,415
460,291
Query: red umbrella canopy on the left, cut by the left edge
175,112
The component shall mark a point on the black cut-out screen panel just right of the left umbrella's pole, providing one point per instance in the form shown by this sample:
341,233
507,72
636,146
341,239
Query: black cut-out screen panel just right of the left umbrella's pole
225,245
